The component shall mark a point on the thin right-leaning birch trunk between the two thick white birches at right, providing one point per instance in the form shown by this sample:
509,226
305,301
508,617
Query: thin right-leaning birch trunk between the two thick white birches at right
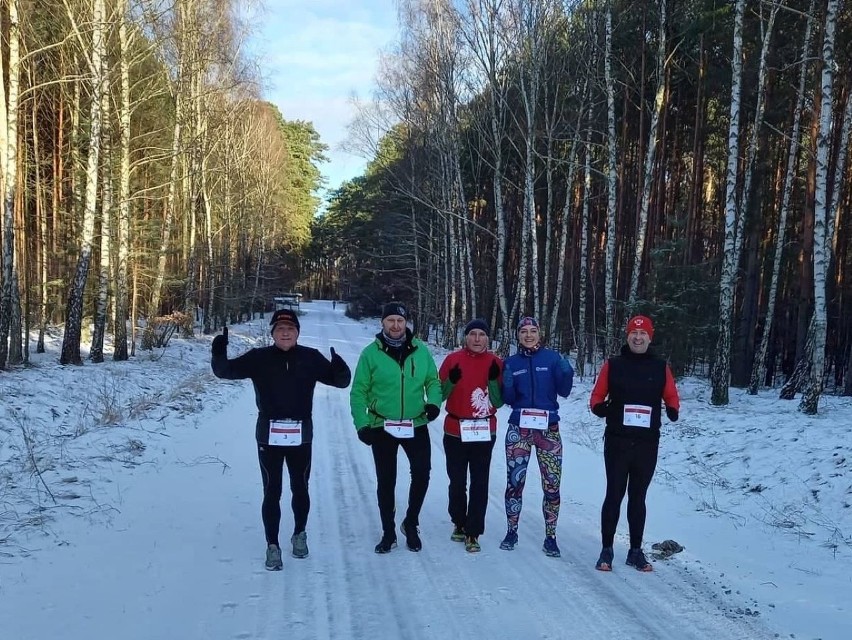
758,372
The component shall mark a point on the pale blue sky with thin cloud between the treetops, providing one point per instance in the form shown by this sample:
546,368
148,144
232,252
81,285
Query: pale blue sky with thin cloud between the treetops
315,56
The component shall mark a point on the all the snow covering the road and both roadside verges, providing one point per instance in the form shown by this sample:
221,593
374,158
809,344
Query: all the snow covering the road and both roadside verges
130,500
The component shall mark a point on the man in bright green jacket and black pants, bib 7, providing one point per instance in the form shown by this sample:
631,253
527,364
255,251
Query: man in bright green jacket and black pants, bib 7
395,394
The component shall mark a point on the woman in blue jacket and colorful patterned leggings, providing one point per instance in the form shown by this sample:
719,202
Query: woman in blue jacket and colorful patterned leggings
532,380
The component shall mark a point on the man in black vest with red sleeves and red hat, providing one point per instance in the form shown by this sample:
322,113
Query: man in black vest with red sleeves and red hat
629,392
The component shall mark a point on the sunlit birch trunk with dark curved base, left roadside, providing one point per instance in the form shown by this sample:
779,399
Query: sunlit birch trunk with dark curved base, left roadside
74,308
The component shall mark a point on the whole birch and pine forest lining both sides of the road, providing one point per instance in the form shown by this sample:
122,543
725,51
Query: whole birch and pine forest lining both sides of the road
576,161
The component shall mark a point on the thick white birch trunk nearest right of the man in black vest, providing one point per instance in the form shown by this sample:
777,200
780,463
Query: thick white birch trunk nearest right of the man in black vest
721,373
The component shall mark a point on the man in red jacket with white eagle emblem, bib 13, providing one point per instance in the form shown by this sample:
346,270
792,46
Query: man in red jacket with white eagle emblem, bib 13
470,381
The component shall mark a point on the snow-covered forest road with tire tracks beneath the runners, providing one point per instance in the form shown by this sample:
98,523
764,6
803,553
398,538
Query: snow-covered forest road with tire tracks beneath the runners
182,556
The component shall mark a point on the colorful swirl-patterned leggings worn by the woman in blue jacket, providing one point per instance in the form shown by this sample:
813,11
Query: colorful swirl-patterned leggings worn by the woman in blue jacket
519,444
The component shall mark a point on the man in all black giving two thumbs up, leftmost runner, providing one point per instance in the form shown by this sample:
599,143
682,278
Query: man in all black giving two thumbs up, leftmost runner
284,376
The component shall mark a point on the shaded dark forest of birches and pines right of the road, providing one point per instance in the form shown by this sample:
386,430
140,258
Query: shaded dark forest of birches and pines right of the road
584,161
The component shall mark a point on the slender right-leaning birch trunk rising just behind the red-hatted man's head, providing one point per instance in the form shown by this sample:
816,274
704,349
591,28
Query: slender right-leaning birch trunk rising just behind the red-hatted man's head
650,156
